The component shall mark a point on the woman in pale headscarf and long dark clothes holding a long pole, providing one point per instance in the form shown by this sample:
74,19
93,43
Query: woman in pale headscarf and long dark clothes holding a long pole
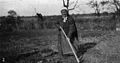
69,27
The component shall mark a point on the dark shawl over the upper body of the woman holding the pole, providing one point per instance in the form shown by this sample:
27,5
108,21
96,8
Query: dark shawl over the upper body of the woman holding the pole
69,27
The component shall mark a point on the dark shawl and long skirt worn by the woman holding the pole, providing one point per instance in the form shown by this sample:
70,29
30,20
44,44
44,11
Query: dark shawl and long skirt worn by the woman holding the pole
71,31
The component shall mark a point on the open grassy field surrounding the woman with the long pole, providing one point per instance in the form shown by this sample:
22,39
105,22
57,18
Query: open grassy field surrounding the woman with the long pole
40,45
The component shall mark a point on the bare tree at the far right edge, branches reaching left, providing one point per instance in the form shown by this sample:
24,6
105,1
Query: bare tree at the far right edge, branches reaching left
115,6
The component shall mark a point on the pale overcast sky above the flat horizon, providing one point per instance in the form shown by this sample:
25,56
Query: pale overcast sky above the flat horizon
46,7
